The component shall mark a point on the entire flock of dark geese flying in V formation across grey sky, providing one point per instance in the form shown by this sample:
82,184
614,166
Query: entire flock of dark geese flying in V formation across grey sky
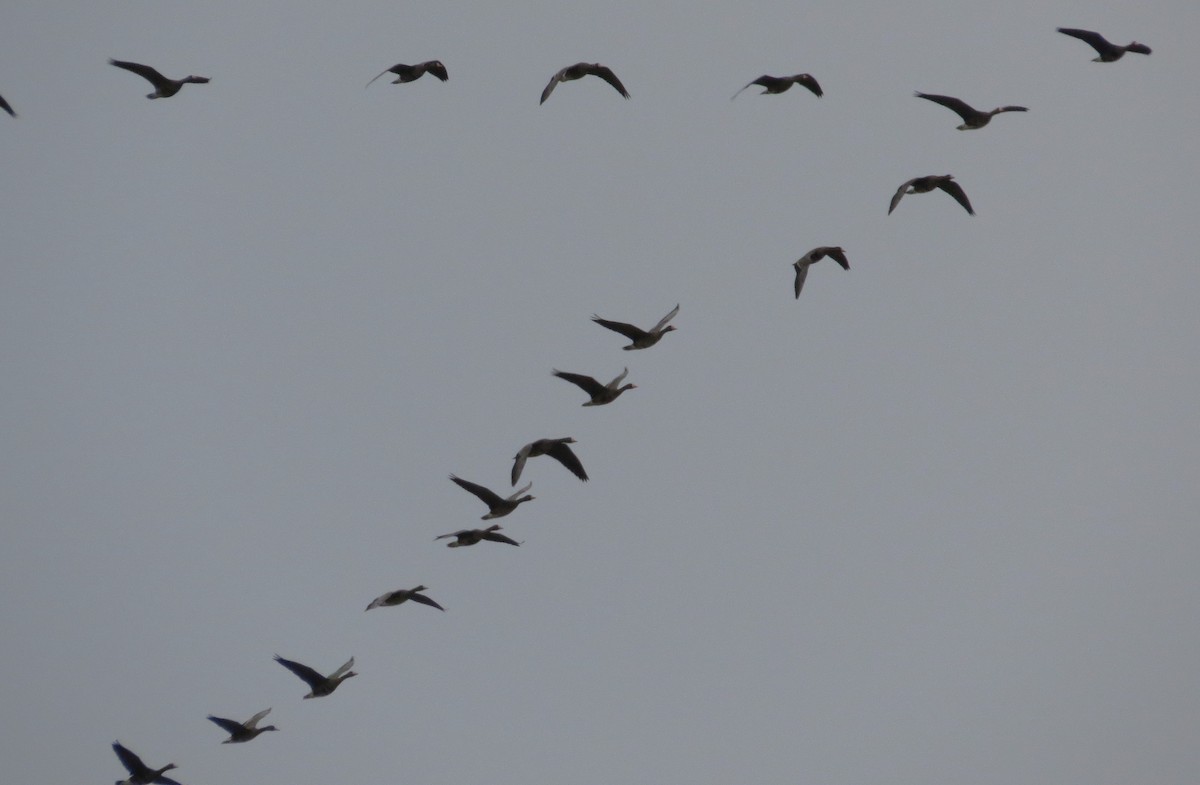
599,394
